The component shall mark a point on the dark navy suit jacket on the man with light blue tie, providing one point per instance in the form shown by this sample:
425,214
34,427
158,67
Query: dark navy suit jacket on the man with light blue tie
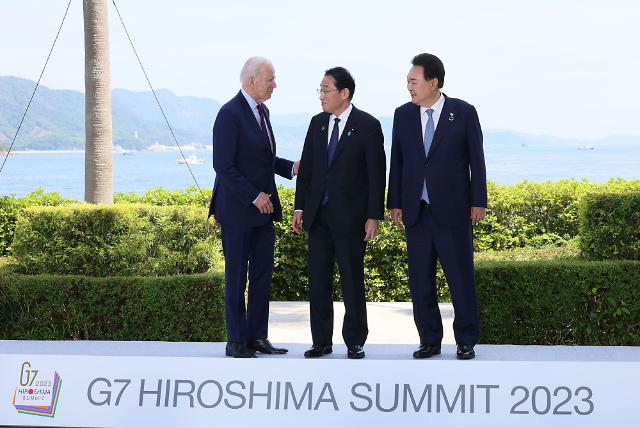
454,168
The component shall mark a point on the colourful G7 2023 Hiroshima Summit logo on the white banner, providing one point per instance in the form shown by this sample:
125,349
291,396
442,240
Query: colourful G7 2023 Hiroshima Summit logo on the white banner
37,395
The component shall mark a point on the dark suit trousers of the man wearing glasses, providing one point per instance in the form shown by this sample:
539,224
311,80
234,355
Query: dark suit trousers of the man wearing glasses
324,248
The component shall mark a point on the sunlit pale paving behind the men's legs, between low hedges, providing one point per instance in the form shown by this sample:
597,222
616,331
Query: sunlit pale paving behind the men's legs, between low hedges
389,323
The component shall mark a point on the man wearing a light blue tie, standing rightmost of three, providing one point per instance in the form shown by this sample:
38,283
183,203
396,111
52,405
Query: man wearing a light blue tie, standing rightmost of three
437,188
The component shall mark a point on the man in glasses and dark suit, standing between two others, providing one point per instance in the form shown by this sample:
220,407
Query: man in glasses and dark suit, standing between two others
340,190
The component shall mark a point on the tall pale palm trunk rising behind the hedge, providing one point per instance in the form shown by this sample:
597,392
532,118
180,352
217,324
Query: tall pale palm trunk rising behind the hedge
98,178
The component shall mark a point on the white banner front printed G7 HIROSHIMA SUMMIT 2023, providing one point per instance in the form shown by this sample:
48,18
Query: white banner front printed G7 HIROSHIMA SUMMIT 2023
138,391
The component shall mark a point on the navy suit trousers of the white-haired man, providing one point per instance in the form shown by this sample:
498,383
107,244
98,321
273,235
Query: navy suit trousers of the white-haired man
247,249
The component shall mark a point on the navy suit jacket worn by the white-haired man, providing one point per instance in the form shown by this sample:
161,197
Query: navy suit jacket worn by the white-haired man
244,165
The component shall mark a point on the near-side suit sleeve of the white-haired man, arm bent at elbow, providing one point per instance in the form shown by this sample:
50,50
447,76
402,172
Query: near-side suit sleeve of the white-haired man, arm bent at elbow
225,146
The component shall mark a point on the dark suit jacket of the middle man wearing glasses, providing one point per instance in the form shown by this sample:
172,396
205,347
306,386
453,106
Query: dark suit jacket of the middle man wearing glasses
355,179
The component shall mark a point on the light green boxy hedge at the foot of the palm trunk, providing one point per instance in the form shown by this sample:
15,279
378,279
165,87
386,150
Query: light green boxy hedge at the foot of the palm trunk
120,240
